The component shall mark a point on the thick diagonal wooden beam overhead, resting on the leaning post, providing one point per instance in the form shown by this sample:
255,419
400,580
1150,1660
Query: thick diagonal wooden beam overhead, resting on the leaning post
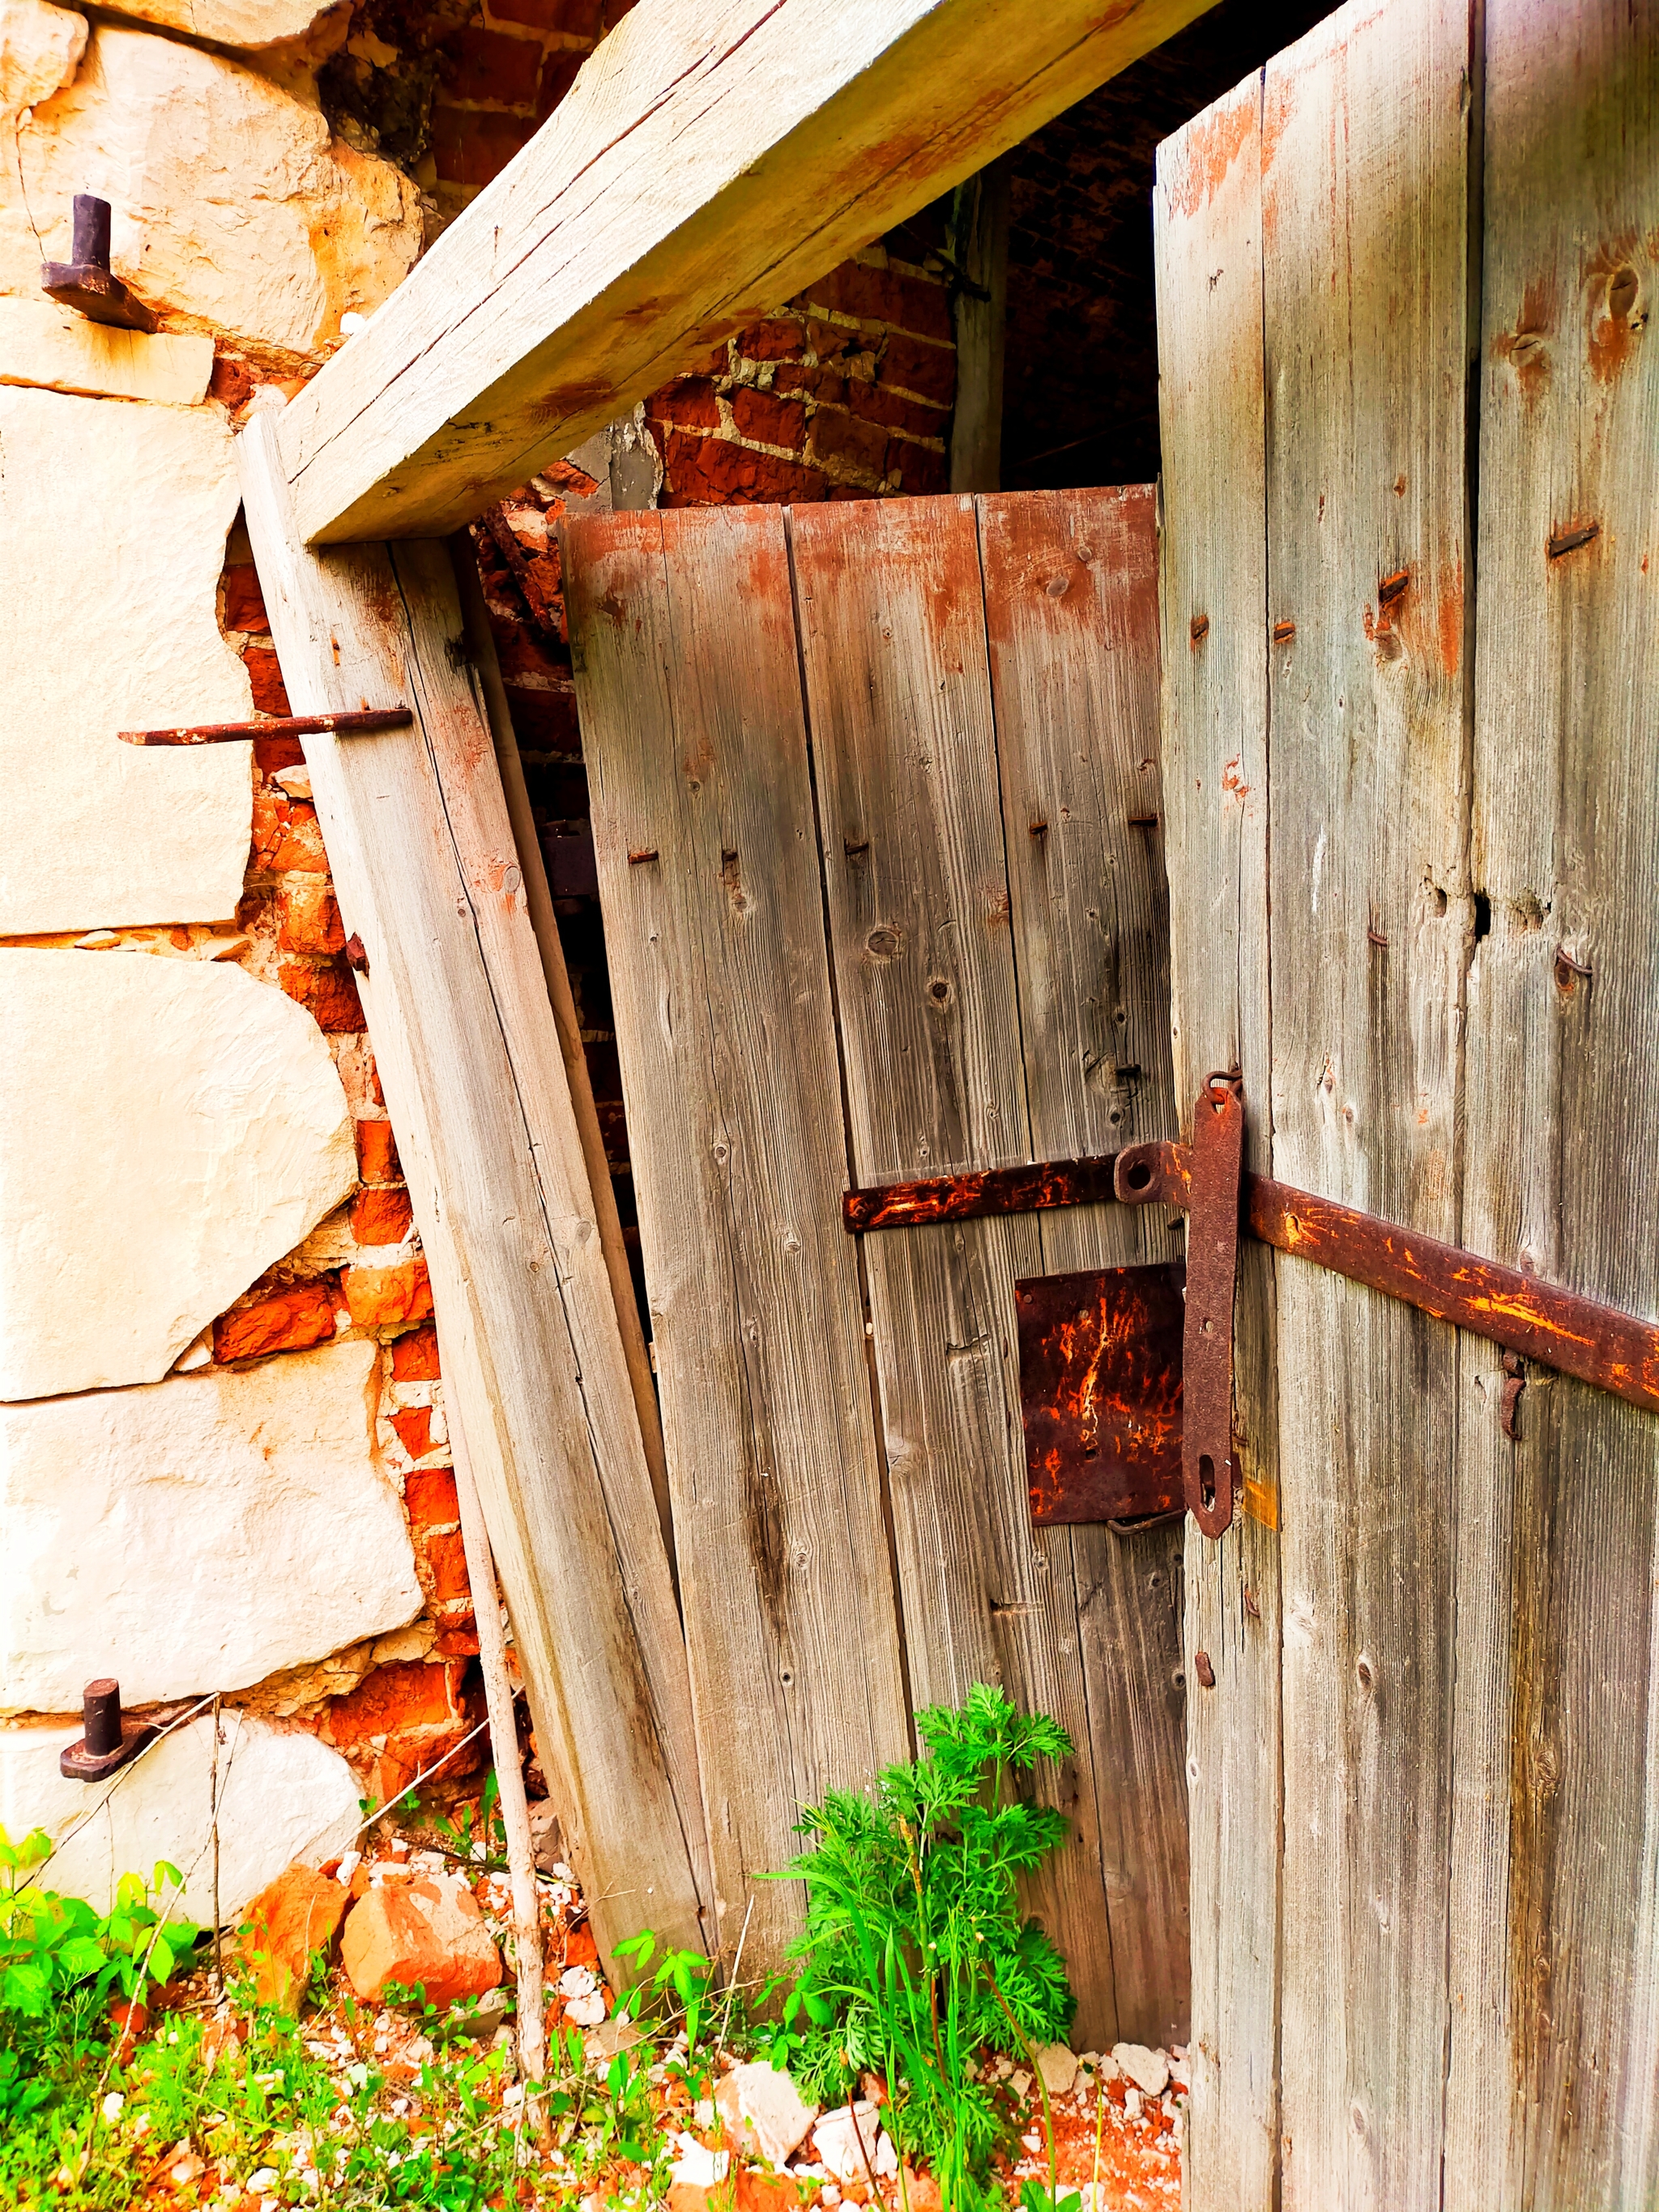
705,167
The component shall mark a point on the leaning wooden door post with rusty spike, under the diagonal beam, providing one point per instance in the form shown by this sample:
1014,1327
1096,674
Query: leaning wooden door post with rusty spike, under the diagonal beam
457,1003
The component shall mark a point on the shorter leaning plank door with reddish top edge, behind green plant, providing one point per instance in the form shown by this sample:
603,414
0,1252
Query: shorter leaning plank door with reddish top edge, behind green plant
877,813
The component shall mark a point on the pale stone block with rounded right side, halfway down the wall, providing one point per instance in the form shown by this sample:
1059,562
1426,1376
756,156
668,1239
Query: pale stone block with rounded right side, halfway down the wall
169,1129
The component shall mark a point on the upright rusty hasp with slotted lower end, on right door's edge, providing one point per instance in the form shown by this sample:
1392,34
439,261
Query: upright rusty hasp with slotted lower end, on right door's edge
1209,1465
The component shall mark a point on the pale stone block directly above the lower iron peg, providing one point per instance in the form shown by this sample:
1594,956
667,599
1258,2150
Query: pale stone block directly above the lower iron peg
198,1534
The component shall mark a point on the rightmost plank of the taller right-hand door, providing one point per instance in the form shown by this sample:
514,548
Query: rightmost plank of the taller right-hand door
1556,1841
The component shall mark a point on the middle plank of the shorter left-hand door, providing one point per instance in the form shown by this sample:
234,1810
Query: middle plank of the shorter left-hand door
899,705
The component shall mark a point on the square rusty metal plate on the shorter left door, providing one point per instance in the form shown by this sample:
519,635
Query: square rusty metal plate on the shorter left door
1100,1390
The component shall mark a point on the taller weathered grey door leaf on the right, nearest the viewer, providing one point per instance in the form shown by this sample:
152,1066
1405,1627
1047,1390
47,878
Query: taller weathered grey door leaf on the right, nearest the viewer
1412,766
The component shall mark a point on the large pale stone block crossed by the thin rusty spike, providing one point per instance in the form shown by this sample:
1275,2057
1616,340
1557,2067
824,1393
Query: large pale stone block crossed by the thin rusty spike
114,528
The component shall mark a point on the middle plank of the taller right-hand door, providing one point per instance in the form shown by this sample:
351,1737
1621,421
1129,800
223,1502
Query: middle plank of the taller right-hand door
1366,231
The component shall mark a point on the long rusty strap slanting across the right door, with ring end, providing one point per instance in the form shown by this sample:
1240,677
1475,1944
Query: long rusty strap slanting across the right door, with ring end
1558,1328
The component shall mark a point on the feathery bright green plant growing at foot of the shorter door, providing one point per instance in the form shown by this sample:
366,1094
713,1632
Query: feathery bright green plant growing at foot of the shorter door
915,1952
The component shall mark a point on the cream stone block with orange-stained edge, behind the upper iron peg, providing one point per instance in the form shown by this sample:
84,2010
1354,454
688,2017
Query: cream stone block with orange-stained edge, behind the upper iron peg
233,209
